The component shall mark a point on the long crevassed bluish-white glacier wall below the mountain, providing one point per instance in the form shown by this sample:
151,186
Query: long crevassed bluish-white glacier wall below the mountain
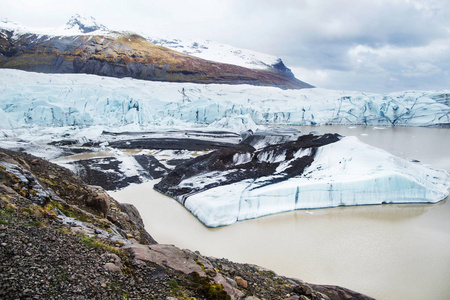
33,99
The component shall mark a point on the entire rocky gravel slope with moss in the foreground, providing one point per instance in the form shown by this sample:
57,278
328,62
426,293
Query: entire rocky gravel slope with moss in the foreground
63,239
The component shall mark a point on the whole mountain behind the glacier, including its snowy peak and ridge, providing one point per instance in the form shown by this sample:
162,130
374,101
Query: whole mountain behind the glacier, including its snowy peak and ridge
85,46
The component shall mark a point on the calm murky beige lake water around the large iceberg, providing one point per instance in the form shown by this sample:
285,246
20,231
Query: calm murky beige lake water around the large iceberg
384,251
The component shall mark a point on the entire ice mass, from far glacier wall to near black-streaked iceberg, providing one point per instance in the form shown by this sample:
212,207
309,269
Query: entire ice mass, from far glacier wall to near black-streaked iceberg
253,172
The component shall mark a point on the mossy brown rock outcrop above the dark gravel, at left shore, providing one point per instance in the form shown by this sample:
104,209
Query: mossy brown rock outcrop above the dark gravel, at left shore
44,183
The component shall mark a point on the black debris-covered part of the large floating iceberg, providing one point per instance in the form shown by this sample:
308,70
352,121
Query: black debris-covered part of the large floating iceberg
243,162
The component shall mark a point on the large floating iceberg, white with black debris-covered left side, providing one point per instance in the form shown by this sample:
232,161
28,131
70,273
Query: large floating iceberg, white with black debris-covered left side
328,172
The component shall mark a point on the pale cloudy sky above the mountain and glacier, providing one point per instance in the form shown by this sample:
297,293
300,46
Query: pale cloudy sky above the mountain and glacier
365,45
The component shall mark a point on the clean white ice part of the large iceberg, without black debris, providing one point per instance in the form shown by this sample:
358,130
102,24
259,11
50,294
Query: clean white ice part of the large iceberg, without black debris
344,173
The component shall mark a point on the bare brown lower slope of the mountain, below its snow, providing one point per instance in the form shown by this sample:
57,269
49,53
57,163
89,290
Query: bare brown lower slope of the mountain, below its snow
128,55
